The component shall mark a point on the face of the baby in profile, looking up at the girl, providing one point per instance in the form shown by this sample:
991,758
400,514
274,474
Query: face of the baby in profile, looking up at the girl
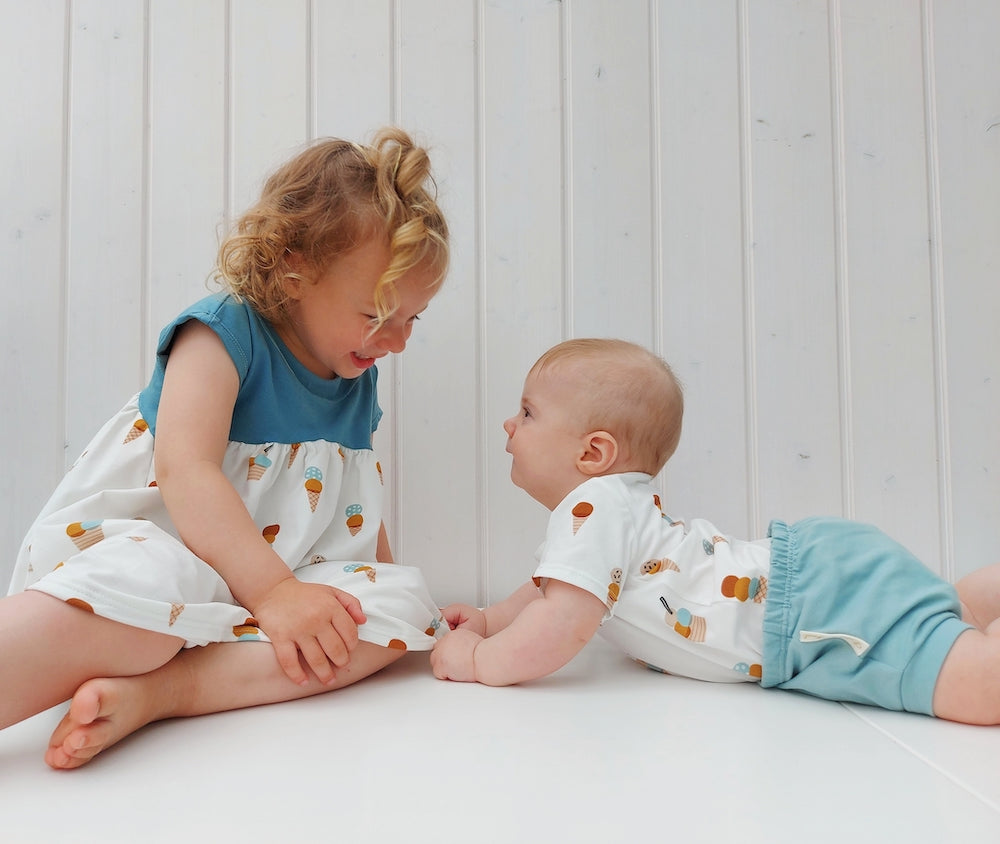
544,441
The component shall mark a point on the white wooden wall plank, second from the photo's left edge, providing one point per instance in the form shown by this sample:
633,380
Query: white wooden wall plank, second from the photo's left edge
105,225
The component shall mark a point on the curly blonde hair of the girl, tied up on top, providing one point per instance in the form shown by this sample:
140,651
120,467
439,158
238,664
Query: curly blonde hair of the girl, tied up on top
330,198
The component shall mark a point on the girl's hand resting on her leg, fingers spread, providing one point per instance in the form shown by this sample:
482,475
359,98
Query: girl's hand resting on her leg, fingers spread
318,621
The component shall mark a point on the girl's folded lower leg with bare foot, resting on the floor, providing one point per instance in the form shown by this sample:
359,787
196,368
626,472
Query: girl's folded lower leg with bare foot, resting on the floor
198,681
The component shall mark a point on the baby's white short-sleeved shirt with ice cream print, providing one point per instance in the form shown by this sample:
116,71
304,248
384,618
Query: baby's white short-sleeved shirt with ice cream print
680,598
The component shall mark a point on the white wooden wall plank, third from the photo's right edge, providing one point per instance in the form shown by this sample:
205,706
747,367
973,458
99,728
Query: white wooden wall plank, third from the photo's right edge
797,376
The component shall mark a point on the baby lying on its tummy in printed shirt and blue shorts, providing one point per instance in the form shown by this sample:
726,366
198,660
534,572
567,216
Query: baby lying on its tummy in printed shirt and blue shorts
826,606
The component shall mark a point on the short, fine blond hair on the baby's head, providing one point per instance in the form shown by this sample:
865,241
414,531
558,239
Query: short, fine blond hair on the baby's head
625,390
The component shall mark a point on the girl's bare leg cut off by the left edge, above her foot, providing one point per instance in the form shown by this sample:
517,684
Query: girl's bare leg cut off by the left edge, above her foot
48,648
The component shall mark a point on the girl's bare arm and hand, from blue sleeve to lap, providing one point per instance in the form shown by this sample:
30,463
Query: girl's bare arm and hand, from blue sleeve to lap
193,421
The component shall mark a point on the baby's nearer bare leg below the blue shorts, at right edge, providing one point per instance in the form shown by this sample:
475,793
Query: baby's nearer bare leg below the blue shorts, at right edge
968,687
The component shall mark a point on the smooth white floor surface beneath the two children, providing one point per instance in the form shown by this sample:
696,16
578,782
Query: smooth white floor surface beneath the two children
602,751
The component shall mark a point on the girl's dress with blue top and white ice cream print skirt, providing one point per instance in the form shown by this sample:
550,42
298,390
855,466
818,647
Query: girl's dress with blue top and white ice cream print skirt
300,456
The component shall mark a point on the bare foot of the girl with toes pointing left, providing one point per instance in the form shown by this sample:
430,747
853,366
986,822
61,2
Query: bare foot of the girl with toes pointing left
102,713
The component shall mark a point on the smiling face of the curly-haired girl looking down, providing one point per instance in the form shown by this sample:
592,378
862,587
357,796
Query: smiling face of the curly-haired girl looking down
330,319
